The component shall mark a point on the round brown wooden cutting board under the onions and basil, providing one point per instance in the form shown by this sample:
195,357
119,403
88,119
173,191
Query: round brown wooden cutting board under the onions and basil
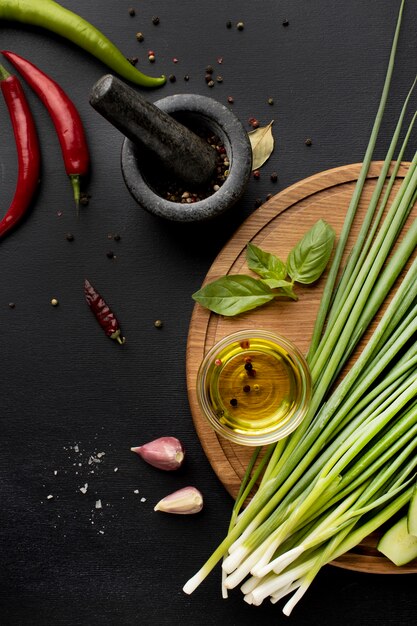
276,227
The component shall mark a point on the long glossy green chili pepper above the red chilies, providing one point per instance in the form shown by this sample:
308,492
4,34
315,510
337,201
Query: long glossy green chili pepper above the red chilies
54,17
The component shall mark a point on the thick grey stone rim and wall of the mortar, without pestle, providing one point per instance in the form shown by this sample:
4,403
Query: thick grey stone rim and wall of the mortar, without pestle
193,110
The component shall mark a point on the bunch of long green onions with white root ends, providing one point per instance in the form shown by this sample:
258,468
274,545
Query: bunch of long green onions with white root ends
351,465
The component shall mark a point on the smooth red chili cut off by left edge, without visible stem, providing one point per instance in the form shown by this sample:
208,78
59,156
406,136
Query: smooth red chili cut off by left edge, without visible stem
28,152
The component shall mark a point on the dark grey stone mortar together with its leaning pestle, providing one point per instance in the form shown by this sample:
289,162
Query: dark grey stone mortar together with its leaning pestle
166,145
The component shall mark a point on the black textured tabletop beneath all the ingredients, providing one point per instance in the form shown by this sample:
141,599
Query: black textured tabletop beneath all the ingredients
68,393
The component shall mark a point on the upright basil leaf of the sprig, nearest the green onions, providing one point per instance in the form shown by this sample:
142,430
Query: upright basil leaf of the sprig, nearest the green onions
308,259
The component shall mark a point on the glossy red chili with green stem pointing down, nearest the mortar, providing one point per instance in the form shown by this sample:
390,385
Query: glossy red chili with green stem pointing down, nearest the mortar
64,115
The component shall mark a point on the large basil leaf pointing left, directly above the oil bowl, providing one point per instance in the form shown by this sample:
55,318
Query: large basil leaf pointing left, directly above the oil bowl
231,295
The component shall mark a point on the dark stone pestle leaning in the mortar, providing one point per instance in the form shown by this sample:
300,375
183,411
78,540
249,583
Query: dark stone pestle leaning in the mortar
177,149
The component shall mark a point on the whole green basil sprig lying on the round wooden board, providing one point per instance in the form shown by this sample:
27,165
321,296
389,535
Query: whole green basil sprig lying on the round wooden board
237,293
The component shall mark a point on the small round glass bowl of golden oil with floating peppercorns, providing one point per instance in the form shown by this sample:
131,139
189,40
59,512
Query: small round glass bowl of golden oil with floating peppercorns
254,387
